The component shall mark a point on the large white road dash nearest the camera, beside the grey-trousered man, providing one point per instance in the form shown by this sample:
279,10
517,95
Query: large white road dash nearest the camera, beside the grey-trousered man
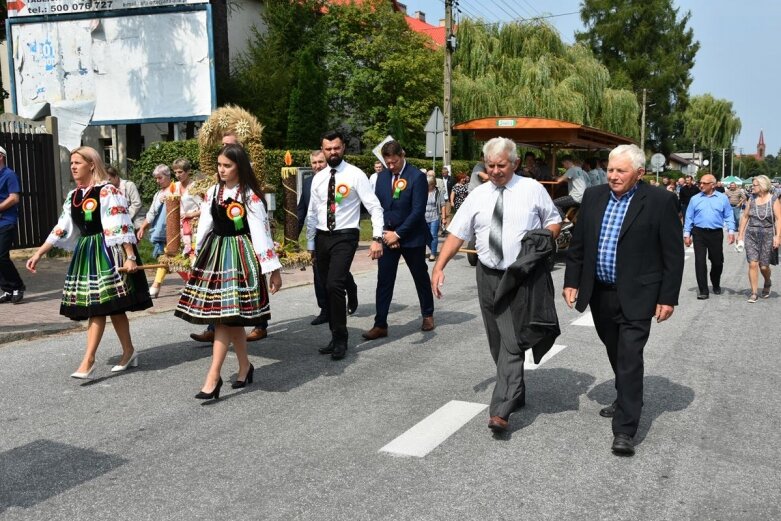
427,434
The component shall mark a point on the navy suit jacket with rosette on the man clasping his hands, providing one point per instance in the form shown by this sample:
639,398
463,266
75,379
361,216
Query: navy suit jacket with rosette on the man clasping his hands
407,214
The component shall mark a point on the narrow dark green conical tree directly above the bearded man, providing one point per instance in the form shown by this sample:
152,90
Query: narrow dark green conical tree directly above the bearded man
308,108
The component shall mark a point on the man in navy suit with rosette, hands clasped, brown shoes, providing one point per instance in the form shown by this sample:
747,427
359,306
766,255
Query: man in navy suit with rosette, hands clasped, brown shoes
402,191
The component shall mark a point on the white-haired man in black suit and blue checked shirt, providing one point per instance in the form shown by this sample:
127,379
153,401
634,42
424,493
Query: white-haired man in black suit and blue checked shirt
625,262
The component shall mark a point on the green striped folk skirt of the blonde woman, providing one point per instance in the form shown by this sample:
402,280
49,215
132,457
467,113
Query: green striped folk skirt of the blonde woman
94,287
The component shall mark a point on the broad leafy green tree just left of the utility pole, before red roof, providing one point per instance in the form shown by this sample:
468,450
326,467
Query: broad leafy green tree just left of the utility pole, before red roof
383,77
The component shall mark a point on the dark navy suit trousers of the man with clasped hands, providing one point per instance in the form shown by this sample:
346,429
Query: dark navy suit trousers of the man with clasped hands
387,268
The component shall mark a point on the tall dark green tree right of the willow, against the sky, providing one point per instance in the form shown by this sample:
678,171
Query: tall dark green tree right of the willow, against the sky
645,44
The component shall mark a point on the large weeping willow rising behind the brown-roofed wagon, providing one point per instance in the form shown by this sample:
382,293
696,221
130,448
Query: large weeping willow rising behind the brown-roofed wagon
524,69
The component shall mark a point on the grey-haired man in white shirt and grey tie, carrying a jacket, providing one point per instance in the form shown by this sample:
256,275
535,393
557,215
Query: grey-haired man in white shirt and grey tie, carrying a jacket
498,214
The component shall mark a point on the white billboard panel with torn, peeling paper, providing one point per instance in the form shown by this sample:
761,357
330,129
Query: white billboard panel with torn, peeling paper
115,70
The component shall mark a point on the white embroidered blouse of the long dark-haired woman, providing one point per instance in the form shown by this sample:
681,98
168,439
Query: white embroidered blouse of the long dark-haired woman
257,219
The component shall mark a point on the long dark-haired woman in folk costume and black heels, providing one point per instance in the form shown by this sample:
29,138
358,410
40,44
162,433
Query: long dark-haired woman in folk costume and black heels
234,251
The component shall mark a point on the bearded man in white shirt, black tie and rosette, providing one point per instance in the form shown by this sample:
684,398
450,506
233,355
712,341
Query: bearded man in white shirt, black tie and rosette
333,229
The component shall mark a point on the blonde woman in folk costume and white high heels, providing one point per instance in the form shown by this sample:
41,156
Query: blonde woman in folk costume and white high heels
96,225
